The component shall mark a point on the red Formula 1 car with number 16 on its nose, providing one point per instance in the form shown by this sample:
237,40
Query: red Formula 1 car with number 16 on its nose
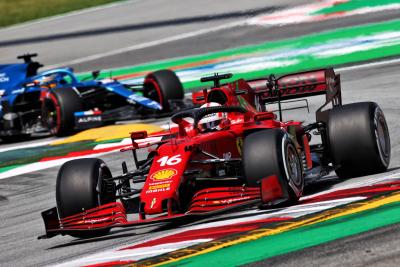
230,153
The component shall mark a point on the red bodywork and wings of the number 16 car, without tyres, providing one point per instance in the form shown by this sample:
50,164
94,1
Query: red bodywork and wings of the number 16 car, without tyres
169,191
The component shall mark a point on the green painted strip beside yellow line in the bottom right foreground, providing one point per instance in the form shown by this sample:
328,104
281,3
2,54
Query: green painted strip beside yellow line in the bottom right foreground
297,239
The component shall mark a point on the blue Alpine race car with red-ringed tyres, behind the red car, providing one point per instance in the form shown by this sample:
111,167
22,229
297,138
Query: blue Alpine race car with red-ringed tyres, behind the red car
56,101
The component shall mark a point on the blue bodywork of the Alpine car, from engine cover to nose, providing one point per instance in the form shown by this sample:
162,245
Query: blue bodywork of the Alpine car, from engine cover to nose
22,79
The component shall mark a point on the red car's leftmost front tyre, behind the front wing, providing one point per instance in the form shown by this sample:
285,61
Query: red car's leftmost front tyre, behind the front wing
80,186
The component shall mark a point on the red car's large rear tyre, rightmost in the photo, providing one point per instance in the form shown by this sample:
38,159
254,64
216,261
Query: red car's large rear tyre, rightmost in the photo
359,139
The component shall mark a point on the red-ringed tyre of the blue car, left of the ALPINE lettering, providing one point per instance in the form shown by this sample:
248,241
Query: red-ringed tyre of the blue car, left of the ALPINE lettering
58,110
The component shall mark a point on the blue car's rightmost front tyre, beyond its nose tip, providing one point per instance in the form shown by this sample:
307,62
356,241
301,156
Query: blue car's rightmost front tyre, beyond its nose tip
162,86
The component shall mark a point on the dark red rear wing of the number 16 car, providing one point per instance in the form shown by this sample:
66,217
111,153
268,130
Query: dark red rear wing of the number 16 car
300,85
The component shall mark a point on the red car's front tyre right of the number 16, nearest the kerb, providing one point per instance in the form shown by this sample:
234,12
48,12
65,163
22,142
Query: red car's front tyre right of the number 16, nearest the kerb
271,152
